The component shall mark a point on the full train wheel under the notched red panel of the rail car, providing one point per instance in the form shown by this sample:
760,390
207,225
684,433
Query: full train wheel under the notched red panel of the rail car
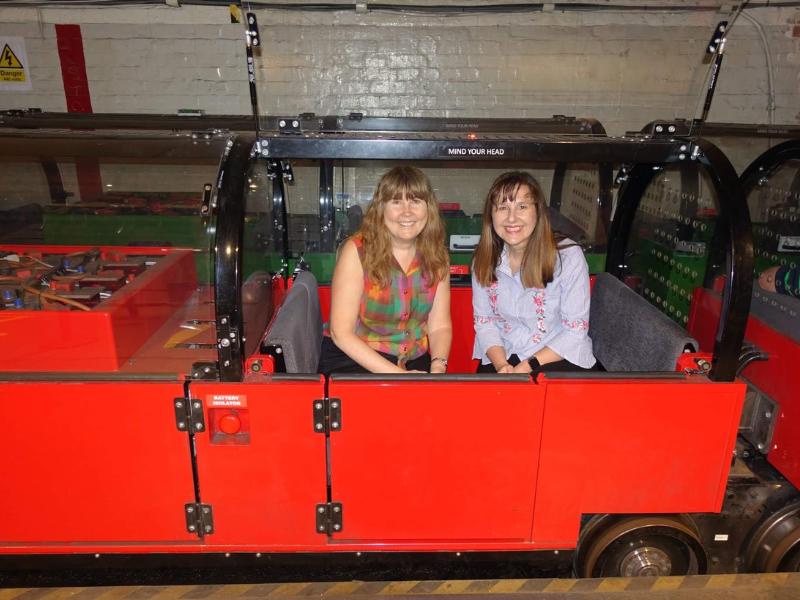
641,547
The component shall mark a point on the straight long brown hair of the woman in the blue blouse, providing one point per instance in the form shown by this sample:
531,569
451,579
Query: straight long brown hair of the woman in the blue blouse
541,252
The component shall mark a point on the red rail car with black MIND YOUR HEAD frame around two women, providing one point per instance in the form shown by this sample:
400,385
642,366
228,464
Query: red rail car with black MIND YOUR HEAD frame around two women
212,434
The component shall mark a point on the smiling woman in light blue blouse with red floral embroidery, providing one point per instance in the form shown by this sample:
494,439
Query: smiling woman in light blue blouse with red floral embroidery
530,288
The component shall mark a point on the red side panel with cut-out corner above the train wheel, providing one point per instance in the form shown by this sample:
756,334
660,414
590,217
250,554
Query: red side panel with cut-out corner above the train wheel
633,447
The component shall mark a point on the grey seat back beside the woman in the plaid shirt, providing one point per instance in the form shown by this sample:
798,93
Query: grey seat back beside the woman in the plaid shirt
297,328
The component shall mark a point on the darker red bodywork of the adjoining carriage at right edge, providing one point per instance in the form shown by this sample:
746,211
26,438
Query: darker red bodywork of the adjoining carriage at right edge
774,377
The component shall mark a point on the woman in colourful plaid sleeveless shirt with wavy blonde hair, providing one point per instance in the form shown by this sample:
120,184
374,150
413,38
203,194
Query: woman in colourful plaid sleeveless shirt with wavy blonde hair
390,295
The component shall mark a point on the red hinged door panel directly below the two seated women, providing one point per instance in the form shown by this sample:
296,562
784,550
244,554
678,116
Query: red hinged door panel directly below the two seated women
435,462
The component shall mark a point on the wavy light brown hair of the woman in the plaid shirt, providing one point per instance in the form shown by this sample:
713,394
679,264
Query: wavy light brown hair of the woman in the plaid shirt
378,259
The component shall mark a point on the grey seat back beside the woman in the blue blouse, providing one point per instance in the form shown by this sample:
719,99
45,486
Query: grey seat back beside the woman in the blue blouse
630,334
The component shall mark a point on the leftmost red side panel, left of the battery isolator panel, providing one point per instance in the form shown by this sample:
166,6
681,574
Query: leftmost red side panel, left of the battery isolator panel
89,463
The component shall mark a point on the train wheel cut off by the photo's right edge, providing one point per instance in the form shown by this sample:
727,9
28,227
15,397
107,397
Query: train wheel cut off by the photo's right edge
775,545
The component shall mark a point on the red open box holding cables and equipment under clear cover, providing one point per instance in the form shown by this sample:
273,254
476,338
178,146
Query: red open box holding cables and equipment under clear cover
108,335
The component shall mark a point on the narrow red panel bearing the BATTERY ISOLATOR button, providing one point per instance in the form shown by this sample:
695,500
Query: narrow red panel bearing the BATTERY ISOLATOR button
264,492
